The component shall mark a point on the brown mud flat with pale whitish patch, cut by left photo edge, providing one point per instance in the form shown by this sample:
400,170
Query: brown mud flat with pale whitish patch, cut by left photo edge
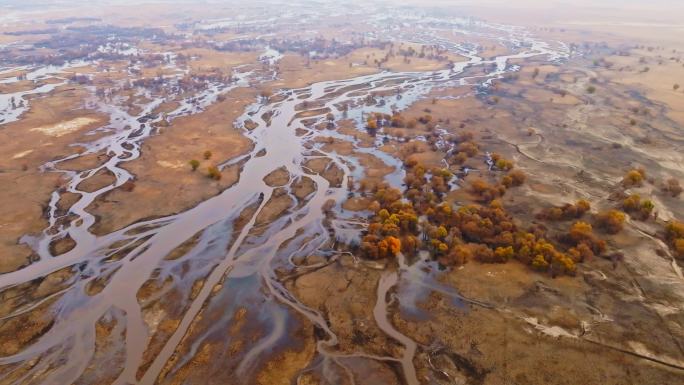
46,132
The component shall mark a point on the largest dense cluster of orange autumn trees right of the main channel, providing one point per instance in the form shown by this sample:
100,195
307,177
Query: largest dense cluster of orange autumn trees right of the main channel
420,219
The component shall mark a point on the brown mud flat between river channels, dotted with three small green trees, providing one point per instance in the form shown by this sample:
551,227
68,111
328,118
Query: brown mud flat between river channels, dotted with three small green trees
165,163
